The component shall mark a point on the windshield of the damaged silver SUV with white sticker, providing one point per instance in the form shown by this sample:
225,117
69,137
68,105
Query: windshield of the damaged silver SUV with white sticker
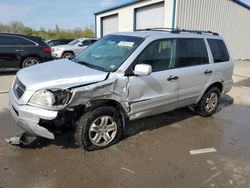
109,53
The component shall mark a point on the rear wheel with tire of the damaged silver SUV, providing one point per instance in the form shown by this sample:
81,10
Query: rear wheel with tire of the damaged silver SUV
209,102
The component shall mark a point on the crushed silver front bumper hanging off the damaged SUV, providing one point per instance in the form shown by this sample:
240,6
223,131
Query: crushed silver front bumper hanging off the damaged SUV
28,117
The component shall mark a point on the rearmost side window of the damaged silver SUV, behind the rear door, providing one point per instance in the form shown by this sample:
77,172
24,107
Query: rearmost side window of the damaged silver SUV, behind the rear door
219,50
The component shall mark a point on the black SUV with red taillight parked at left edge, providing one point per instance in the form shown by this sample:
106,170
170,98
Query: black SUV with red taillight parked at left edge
20,51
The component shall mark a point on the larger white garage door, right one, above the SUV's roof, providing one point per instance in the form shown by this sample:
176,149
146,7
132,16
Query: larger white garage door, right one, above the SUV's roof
150,16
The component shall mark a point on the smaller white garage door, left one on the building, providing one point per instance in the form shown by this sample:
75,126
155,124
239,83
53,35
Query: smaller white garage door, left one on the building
109,24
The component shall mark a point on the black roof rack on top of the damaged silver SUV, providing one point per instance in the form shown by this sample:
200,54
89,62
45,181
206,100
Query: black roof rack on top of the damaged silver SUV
177,30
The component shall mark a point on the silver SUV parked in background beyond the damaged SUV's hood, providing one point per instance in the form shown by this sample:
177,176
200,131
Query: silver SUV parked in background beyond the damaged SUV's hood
72,48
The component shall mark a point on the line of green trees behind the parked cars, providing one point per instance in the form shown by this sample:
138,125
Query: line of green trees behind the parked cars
57,33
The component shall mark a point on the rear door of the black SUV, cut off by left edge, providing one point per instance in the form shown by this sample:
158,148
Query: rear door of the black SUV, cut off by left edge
9,57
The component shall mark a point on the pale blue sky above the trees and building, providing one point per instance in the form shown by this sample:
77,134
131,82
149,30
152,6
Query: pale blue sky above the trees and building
67,14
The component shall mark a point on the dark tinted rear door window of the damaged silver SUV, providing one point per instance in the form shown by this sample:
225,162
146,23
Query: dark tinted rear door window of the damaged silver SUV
191,52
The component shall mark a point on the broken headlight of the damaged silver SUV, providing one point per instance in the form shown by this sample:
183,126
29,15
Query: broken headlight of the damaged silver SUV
50,99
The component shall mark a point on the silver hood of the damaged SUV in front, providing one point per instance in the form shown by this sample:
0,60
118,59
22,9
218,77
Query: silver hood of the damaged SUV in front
59,74
